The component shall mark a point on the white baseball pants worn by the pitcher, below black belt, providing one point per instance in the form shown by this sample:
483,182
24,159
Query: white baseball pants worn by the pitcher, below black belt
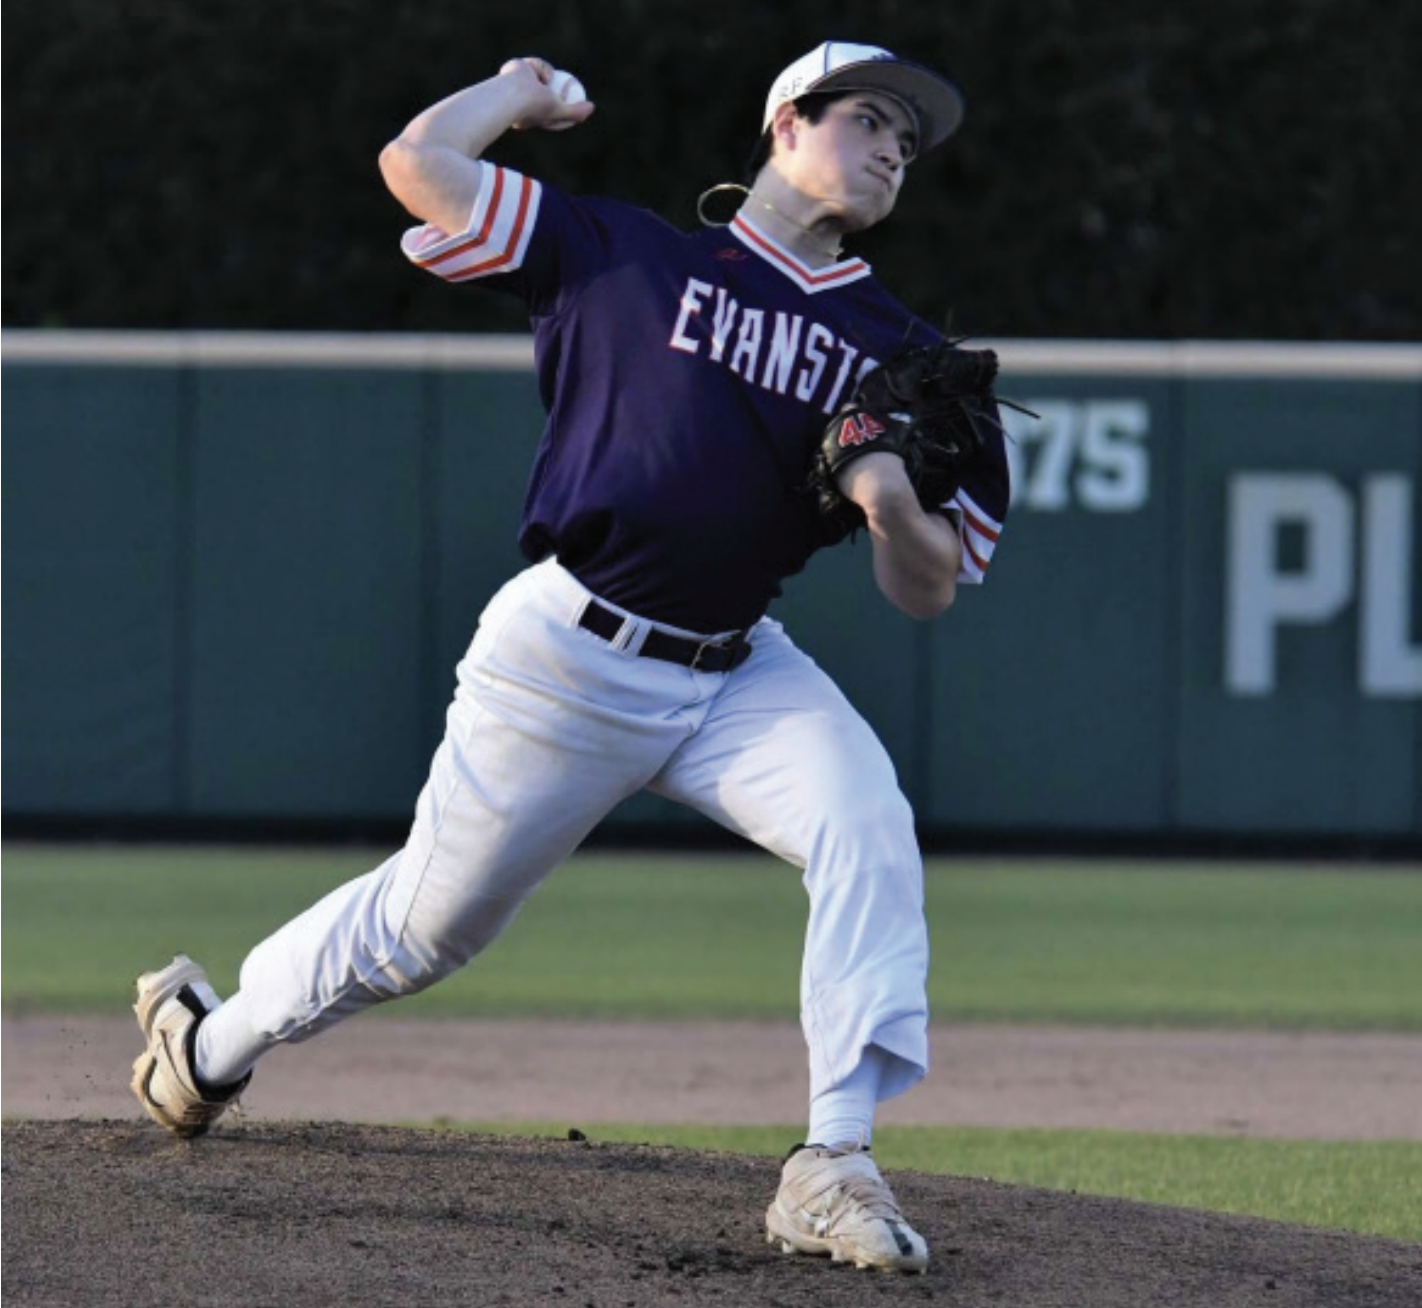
550,729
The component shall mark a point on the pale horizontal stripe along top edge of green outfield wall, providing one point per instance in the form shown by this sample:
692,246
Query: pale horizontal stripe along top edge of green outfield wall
513,352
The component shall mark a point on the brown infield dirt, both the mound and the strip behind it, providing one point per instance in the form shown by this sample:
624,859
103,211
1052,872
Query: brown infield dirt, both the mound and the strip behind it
105,1209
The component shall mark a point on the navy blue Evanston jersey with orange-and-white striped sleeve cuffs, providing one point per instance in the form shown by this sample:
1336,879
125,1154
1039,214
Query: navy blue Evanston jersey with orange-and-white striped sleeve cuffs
688,379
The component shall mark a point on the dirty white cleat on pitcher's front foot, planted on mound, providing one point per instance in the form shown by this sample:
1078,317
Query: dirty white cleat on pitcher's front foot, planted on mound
835,1202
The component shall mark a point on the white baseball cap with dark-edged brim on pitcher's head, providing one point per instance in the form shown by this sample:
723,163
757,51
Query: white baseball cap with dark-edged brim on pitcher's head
843,66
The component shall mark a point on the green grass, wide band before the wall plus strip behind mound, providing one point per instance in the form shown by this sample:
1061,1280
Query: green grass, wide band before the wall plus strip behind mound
697,938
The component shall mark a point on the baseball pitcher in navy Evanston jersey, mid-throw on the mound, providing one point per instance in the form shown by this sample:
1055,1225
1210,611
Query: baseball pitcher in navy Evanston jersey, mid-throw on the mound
688,379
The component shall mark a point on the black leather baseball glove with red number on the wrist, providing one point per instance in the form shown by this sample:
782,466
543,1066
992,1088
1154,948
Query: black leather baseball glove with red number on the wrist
934,406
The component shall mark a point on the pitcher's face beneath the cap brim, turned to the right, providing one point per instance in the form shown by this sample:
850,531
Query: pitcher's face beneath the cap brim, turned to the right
855,157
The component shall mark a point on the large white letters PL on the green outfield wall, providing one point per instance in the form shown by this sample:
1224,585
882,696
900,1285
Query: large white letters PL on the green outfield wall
1262,596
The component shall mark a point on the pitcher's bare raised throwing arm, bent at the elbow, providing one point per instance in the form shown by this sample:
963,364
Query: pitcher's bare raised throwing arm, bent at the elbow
433,166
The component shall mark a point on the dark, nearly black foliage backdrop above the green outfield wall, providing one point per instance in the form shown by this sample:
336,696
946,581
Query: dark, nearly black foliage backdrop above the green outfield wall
1226,170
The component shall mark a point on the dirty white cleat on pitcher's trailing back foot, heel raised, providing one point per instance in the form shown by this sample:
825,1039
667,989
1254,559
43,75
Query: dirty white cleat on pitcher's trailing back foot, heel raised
171,1004
